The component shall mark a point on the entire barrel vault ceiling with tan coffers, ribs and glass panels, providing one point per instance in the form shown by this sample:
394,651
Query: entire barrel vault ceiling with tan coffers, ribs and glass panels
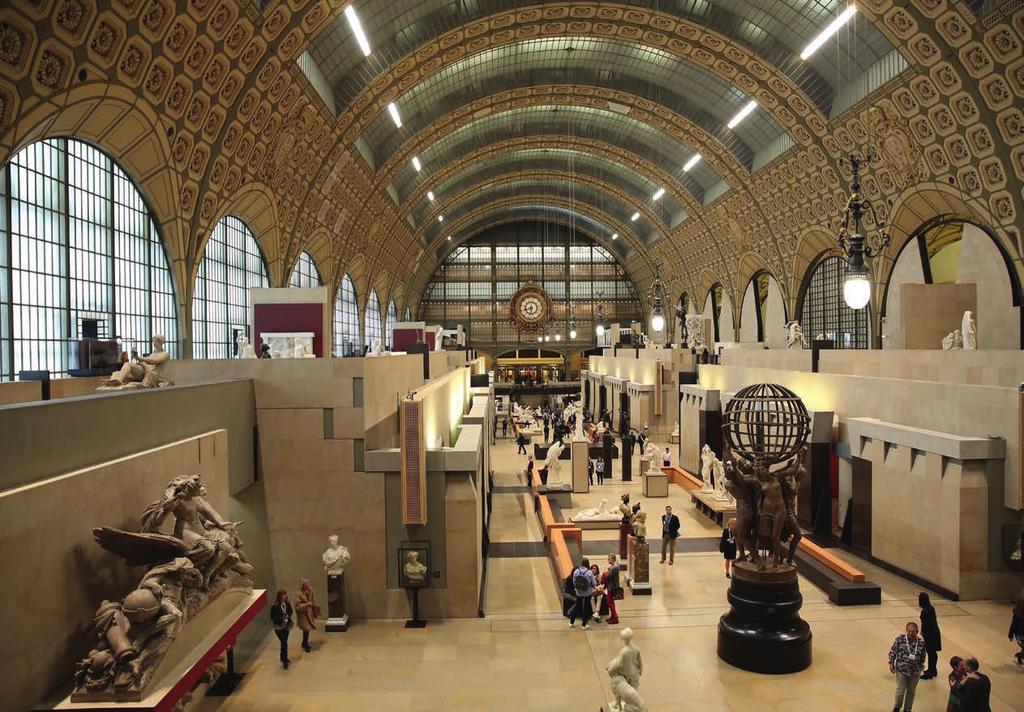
615,117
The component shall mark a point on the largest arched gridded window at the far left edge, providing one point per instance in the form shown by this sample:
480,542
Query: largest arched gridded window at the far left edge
80,258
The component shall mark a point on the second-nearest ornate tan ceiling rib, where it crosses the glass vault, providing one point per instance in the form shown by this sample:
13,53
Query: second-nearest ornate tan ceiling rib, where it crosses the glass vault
687,133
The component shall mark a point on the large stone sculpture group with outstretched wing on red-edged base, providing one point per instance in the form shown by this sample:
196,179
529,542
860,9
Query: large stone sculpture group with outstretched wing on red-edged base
187,569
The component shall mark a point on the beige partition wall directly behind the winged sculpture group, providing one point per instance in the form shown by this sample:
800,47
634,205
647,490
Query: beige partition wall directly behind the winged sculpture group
63,574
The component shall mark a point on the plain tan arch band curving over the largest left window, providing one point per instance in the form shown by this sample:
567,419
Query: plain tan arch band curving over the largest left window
130,132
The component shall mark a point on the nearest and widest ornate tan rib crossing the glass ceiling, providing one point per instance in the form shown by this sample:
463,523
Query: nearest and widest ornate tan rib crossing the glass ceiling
688,40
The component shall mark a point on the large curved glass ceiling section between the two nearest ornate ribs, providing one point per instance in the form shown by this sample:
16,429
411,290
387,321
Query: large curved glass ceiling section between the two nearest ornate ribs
684,88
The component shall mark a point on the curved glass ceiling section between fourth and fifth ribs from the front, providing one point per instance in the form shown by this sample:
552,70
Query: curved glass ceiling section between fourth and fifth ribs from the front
513,189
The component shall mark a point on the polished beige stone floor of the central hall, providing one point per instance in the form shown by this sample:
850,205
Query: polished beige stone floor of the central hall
523,655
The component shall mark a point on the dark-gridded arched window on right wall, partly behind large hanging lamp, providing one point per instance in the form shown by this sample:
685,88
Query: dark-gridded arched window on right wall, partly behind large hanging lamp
824,310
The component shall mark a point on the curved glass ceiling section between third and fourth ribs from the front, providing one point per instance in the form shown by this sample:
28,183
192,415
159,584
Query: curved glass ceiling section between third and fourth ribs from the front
639,187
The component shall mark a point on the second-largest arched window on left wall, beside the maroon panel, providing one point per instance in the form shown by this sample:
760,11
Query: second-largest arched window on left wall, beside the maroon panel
233,264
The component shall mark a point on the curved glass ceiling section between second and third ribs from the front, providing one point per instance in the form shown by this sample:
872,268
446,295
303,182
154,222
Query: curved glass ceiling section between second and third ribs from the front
585,122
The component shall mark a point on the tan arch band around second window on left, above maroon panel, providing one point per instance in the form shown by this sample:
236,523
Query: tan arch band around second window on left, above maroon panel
257,205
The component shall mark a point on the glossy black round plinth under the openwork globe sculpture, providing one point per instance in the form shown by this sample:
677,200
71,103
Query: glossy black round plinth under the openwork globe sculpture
763,632
